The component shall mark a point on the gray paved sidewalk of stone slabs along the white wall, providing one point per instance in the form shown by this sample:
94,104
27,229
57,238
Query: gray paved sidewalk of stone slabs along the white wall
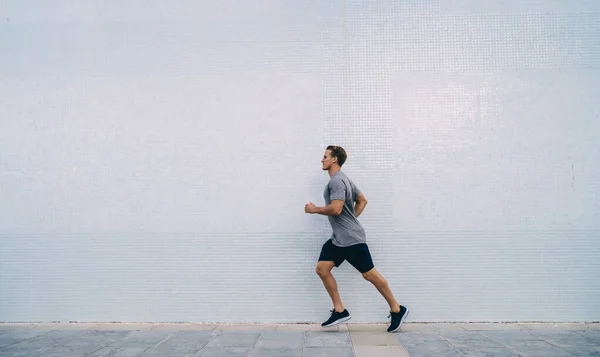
347,340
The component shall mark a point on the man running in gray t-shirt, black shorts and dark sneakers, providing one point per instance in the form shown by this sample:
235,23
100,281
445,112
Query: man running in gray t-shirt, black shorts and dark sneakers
344,203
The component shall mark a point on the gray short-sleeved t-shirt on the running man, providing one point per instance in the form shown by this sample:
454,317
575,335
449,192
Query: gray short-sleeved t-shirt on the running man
347,230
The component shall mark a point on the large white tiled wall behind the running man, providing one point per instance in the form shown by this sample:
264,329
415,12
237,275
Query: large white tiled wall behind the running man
155,158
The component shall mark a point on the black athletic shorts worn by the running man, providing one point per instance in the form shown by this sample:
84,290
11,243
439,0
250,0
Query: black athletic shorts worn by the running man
358,255
